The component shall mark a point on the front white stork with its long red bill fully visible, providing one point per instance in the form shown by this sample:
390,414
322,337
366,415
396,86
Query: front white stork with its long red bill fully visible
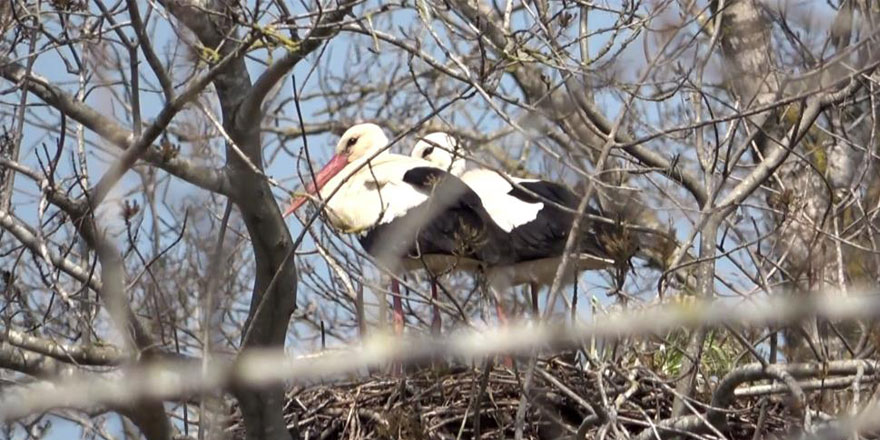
407,213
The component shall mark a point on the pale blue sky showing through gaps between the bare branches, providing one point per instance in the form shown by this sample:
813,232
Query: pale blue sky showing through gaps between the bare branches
336,60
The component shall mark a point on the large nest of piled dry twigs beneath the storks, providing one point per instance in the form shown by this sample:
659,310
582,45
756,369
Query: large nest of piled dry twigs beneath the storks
556,399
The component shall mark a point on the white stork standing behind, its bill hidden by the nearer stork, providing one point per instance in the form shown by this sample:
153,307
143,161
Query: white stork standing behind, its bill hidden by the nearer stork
537,230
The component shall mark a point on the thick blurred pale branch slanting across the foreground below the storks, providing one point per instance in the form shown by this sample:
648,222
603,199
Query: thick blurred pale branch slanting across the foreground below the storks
271,368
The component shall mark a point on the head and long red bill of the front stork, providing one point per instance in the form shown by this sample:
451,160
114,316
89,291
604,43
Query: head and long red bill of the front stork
358,143
